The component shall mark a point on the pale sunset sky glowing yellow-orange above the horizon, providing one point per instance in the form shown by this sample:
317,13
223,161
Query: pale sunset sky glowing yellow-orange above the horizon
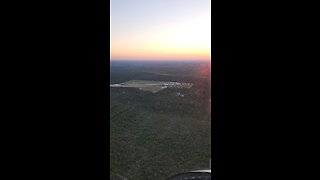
160,30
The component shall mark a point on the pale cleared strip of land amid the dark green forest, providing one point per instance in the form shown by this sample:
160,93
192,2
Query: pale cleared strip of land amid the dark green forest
152,86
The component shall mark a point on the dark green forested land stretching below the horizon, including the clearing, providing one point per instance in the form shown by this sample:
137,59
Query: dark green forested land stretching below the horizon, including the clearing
160,118
